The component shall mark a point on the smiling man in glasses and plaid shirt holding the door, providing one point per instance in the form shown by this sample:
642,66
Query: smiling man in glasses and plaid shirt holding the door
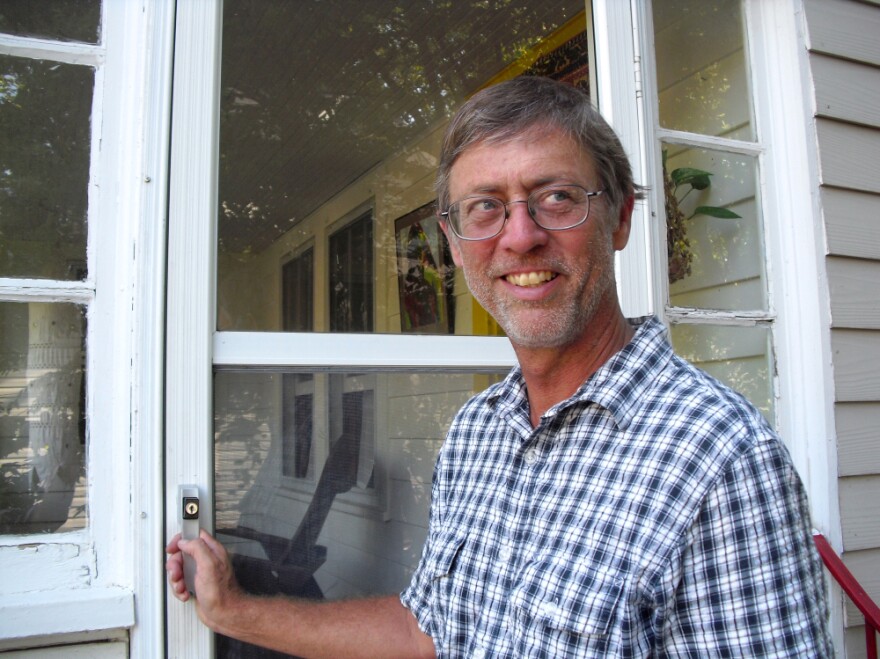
606,499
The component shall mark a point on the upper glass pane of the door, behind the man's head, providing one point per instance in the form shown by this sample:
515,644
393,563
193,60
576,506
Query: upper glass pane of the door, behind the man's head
333,109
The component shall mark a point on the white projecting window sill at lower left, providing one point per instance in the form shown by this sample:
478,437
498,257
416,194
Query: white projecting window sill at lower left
47,613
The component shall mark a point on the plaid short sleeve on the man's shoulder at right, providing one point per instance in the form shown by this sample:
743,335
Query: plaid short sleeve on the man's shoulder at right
751,581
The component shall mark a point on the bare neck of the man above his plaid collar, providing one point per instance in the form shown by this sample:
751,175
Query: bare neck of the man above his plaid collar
554,374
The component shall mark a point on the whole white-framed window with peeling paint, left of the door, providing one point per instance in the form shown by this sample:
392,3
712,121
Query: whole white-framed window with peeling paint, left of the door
71,166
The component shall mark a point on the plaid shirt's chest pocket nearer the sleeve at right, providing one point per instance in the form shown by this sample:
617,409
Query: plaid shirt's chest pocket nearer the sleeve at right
569,597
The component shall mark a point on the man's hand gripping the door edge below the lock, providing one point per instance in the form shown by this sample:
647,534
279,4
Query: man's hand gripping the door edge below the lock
218,595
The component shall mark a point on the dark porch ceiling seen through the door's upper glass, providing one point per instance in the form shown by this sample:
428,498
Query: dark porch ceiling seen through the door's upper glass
316,93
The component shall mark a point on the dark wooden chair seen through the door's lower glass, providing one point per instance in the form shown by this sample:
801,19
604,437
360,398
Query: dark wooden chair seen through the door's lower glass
291,563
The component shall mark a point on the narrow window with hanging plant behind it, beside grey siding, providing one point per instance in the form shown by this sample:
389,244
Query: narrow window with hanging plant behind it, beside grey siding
718,302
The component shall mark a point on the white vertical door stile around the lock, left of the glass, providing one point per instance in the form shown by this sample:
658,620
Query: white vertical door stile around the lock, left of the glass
191,287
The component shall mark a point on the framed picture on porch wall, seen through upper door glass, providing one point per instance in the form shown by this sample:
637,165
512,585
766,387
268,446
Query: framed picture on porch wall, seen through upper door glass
424,273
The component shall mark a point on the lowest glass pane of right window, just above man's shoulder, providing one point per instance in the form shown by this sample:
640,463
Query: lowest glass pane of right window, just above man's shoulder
741,357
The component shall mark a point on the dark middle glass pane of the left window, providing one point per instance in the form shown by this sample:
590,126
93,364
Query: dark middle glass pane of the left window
45,114
